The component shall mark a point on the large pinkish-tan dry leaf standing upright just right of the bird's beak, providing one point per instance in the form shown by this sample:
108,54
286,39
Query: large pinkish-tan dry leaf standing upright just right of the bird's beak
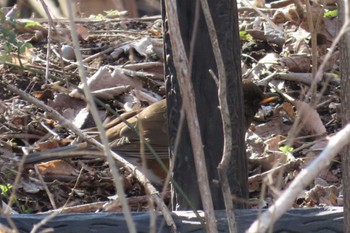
310,118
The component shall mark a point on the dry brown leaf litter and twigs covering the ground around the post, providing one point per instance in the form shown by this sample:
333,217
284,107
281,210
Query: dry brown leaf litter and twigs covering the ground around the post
124,62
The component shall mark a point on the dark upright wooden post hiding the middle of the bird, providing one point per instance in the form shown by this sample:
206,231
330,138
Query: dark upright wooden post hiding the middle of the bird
225,18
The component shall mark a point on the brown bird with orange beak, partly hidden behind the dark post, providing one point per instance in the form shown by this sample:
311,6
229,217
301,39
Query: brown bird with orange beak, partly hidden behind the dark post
152,122
